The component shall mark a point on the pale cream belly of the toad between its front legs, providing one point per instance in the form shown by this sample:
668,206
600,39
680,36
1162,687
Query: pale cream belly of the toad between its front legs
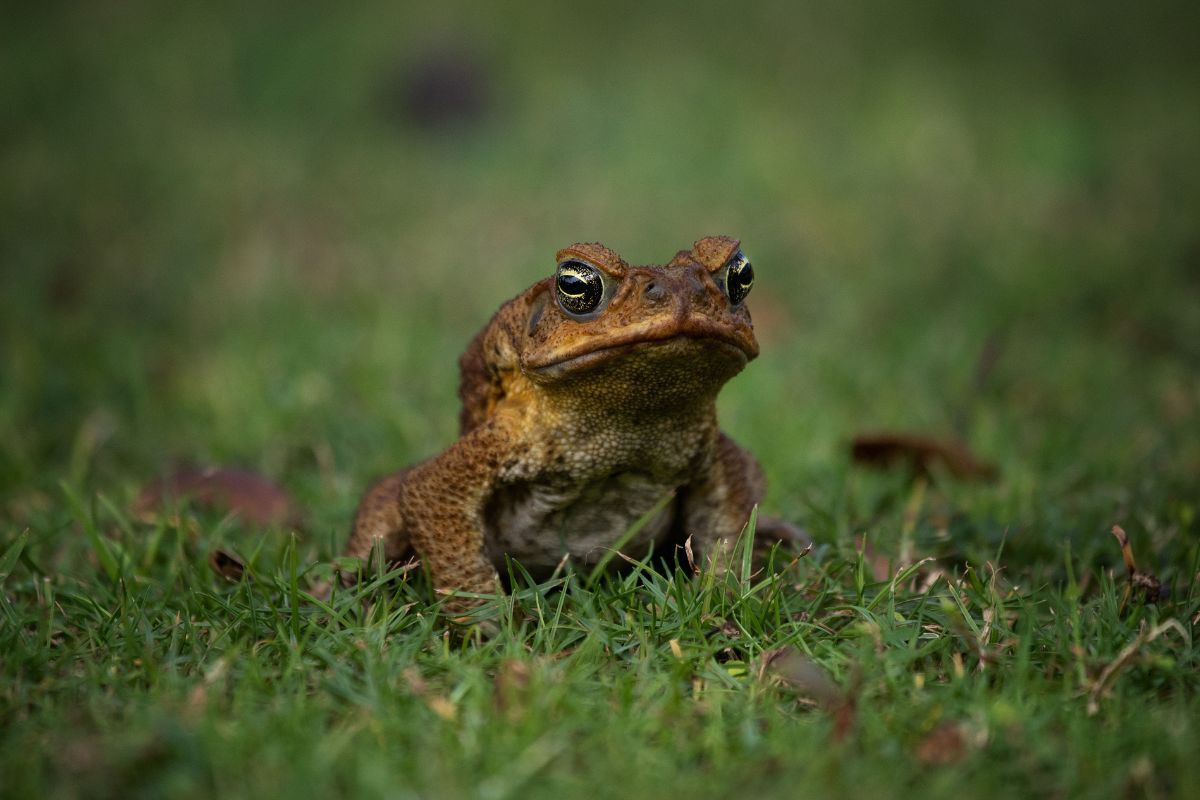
538,525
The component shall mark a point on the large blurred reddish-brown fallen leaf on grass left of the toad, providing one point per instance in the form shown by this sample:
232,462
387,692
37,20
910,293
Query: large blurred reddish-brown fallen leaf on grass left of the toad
250,496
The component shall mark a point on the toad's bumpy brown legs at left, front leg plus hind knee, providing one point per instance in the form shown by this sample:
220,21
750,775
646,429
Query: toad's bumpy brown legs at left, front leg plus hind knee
437,509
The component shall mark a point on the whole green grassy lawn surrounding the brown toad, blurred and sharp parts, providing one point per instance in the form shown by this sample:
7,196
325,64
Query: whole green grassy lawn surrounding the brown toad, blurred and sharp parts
219,246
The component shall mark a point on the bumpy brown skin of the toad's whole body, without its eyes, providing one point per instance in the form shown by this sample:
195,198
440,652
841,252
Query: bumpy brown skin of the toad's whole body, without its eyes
573,430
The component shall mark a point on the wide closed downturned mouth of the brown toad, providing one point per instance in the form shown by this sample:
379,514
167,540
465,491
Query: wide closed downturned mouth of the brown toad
587,356
